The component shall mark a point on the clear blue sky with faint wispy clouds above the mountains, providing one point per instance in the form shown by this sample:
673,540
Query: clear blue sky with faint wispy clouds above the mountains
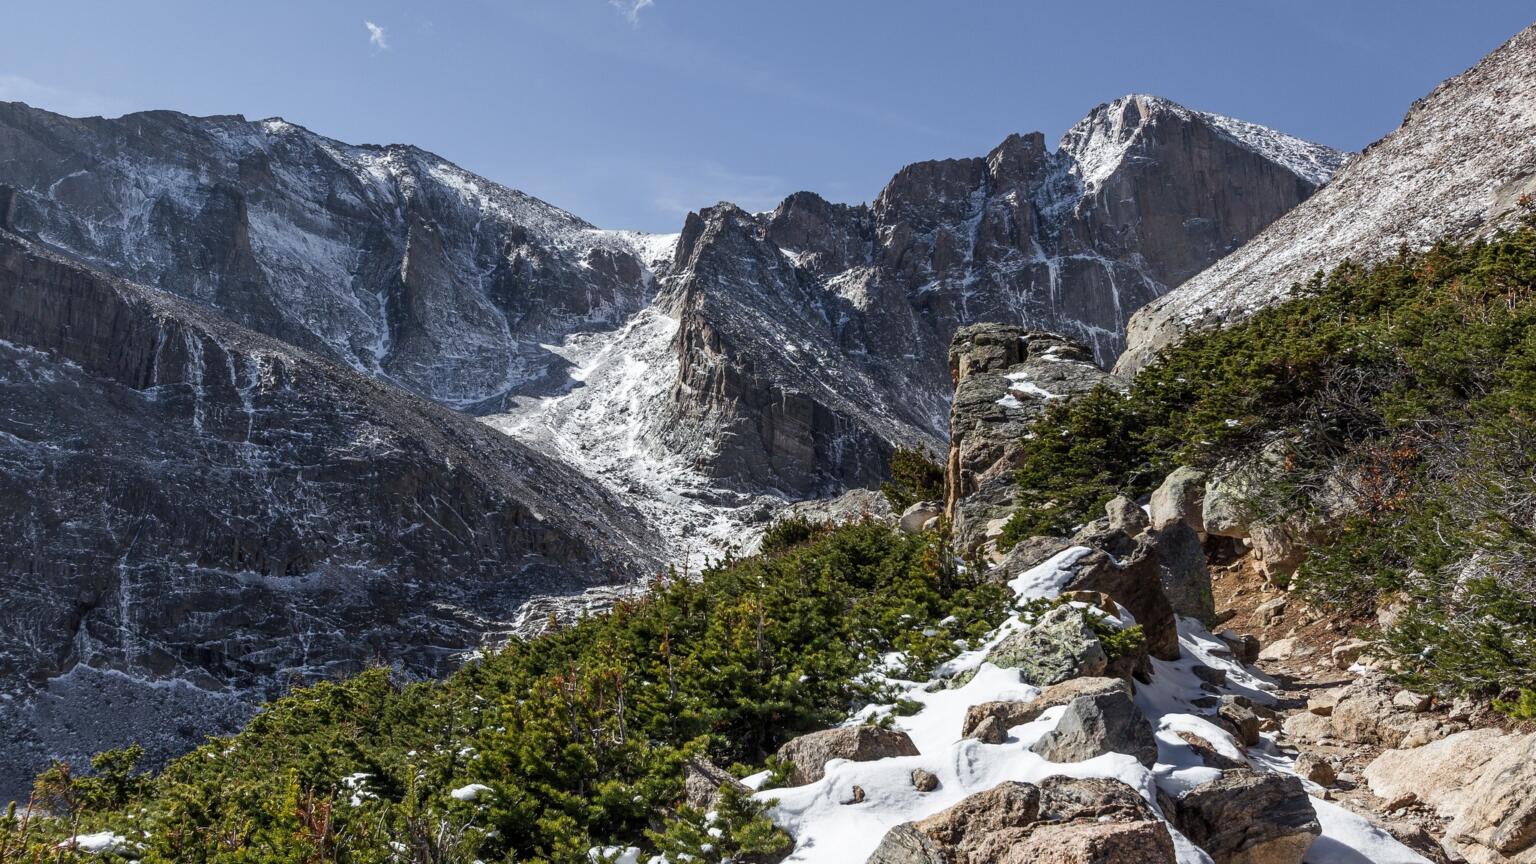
632,113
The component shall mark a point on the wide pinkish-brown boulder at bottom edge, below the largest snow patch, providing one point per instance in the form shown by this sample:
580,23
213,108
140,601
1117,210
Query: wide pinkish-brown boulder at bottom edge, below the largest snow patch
1062,822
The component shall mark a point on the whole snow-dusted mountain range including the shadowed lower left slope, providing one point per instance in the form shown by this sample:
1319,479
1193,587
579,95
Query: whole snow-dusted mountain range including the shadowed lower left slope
222,342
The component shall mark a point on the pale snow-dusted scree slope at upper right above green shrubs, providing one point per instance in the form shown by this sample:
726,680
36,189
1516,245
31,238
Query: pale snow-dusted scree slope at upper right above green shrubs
1458,167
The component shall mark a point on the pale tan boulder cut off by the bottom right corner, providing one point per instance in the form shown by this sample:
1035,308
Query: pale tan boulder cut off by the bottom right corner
1498,819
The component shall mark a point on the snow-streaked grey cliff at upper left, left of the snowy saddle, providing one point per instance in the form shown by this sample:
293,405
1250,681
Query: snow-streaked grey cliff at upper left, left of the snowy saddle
389,261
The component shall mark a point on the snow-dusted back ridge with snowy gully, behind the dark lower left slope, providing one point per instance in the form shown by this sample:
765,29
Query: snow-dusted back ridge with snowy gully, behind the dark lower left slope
709,376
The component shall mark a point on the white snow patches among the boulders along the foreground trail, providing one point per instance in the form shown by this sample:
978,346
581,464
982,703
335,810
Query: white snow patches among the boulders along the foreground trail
832,832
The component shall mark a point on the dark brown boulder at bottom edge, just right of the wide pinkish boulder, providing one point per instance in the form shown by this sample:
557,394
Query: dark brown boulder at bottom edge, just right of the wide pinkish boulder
1250,819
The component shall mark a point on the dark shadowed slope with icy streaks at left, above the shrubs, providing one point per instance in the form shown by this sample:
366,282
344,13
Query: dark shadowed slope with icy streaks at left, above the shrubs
194,516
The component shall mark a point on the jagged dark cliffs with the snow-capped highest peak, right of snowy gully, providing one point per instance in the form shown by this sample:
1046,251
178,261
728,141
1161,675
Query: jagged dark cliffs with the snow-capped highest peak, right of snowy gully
816,336
